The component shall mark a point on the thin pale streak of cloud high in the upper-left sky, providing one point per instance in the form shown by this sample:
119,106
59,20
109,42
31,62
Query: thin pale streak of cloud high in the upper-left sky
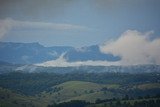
8,24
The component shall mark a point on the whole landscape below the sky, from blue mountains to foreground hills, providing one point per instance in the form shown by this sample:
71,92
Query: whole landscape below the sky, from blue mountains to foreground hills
63,76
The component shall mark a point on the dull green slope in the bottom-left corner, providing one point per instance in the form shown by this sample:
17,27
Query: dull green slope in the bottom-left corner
12,99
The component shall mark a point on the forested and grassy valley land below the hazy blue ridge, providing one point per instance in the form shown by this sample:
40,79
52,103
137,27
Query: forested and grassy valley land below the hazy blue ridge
44,89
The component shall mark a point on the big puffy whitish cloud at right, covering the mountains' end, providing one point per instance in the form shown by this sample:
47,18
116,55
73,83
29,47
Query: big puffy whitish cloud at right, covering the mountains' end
134,48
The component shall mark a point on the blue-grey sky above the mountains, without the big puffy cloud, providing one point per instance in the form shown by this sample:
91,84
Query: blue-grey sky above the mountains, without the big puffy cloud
76,22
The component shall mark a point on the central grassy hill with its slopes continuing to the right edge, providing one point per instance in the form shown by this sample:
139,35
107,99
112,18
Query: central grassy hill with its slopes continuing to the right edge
90,92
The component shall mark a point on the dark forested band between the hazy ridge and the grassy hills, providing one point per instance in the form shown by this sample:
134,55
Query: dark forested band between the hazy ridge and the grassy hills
35,83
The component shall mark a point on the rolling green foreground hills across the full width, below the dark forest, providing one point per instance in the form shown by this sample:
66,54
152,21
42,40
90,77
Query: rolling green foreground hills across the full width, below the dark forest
77,90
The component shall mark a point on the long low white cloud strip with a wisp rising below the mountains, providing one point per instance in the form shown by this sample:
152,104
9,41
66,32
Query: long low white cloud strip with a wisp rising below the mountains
62,62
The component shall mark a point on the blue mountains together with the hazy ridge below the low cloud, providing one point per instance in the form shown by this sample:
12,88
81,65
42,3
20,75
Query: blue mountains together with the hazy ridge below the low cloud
26,56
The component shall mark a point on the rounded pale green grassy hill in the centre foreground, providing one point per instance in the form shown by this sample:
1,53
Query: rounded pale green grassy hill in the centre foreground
78,90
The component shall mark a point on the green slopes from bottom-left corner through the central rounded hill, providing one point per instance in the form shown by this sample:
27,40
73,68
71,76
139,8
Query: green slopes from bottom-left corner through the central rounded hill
71,90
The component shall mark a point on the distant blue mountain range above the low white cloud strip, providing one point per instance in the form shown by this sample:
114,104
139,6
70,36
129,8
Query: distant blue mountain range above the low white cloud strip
31,53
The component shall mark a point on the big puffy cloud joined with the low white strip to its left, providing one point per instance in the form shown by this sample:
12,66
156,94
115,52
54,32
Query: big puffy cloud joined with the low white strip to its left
132,46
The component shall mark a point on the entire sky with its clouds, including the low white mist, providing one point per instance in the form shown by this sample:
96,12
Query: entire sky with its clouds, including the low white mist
126,28
